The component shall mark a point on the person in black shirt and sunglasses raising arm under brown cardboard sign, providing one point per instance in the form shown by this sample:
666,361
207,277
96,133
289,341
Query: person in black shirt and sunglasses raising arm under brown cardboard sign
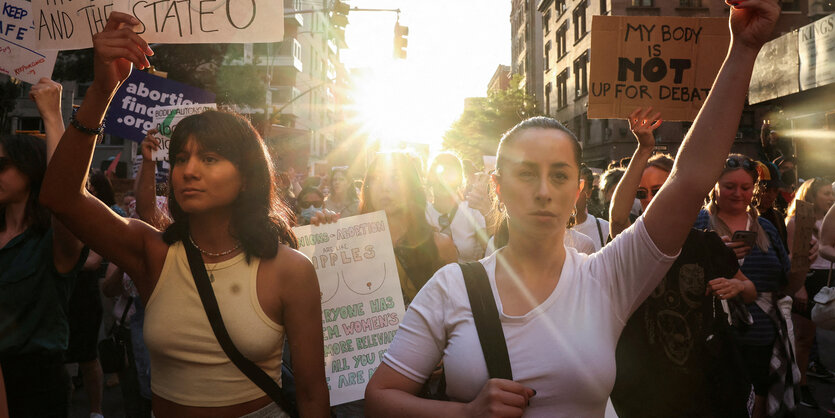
663,360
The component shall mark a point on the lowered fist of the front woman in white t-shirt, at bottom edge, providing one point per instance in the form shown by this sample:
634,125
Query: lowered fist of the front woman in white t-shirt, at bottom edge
501,398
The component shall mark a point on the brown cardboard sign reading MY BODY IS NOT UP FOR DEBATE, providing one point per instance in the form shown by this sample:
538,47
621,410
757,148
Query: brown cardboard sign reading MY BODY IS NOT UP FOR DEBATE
668,63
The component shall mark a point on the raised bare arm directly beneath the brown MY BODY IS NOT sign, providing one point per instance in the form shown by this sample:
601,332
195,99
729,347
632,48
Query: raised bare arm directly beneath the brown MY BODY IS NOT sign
642,126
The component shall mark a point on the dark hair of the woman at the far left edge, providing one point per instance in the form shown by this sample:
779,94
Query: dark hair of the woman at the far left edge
28,155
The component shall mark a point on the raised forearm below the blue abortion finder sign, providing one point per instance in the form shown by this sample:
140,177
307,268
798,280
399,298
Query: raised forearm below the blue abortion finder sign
146,190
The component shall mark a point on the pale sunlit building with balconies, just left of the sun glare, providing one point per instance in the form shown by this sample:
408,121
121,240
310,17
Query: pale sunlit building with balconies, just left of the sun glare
305,80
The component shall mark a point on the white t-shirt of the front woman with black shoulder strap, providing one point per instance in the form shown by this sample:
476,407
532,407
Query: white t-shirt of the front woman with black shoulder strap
564,348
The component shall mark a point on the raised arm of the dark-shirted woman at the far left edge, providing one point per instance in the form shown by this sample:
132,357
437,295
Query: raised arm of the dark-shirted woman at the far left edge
66,248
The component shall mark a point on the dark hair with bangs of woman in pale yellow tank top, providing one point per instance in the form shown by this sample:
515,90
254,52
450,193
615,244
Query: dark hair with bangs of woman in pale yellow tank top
259,219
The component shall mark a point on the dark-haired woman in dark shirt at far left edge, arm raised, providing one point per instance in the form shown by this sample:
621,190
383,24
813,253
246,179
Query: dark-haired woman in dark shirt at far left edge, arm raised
39,263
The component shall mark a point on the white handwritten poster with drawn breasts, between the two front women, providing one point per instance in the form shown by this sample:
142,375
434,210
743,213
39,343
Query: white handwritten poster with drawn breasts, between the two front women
362,304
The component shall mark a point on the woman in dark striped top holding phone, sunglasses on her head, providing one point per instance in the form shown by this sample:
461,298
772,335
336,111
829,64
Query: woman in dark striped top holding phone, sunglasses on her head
768,356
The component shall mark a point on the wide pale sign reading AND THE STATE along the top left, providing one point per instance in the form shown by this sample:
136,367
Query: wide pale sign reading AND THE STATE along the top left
71,24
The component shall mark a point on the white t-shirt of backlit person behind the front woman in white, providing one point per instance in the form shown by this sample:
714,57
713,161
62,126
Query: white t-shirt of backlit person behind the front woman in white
464,227
